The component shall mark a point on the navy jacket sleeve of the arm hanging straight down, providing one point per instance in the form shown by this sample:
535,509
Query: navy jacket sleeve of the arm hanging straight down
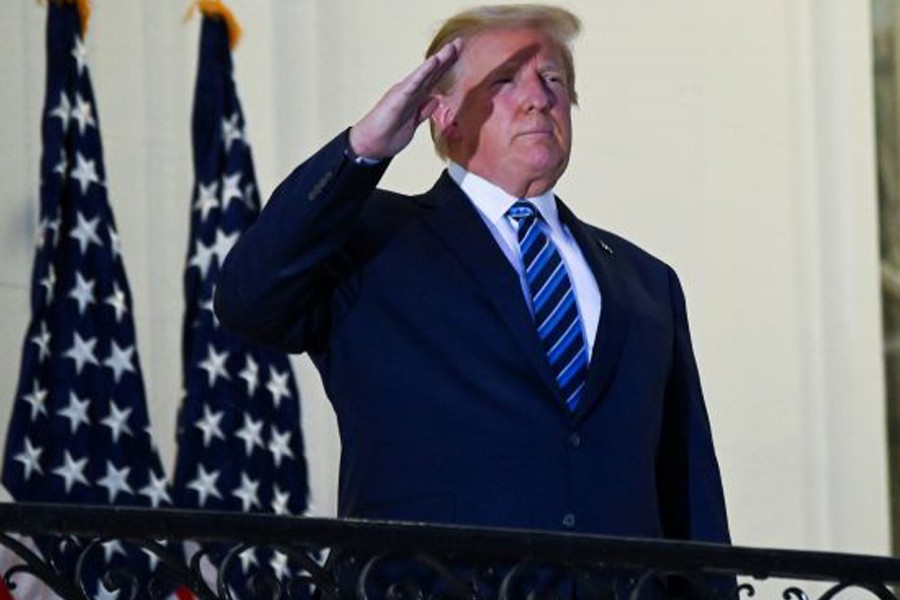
691,499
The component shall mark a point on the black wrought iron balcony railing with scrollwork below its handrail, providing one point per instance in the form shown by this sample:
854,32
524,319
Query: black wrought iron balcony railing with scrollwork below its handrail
327,558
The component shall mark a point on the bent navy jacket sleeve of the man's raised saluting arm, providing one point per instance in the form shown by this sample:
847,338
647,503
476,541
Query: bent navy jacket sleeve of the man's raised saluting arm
276,284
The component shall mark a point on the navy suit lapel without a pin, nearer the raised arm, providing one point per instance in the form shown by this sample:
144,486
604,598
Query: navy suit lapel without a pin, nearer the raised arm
459,226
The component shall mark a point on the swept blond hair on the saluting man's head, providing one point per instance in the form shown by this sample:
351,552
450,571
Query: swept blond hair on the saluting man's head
561,25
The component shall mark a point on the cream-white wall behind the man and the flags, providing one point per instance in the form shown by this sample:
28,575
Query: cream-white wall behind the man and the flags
732,139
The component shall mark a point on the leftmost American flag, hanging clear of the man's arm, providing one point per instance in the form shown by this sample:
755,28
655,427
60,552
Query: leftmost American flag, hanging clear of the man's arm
79,430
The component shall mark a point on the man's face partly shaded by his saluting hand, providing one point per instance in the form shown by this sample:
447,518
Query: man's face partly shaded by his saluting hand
508,116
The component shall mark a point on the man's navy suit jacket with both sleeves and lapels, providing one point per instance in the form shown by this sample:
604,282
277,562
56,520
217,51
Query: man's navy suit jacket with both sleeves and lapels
446,406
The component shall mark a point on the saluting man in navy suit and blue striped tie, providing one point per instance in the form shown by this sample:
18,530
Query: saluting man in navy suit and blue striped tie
492,360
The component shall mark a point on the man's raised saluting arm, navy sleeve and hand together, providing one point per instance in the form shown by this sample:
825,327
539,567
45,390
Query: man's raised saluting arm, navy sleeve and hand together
277,282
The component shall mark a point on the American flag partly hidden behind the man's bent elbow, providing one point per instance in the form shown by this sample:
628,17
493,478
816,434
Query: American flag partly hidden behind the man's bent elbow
240,445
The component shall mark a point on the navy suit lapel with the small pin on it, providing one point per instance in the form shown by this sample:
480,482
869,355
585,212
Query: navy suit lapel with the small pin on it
615,317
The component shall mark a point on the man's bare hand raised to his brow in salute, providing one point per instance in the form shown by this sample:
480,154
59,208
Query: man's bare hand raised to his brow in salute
389,127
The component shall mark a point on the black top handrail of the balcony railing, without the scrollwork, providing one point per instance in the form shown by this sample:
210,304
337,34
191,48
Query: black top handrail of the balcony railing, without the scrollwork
174,524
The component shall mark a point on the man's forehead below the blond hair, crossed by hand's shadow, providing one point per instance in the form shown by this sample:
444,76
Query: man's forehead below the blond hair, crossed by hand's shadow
510,46
